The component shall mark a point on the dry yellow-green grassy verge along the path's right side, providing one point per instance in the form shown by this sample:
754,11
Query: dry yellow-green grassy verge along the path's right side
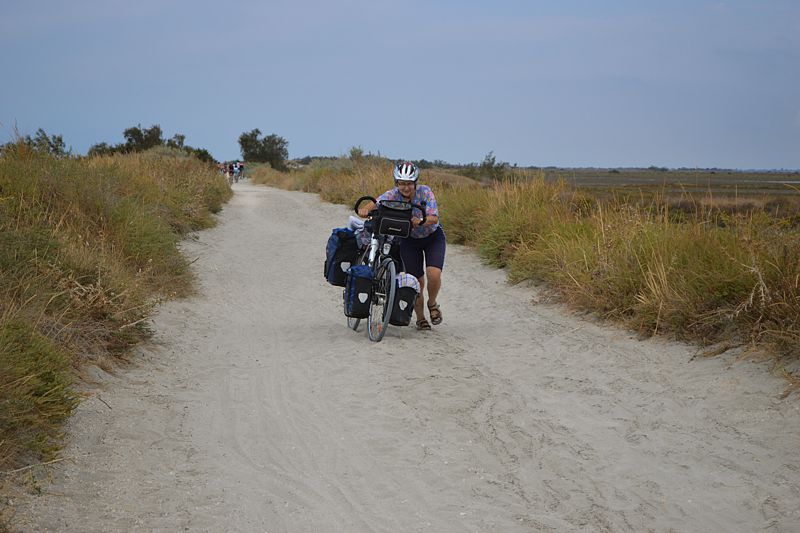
697,273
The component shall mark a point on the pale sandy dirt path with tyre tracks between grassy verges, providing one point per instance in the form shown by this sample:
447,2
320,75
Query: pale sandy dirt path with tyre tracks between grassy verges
256,409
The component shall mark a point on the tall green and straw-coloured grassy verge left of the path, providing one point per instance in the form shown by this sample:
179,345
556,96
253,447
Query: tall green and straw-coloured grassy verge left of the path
87,247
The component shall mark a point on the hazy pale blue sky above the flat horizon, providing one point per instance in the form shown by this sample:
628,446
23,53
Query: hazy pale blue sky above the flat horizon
569,83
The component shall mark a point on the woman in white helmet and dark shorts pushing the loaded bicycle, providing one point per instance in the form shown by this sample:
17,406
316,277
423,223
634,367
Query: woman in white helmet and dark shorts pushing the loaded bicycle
423,251
